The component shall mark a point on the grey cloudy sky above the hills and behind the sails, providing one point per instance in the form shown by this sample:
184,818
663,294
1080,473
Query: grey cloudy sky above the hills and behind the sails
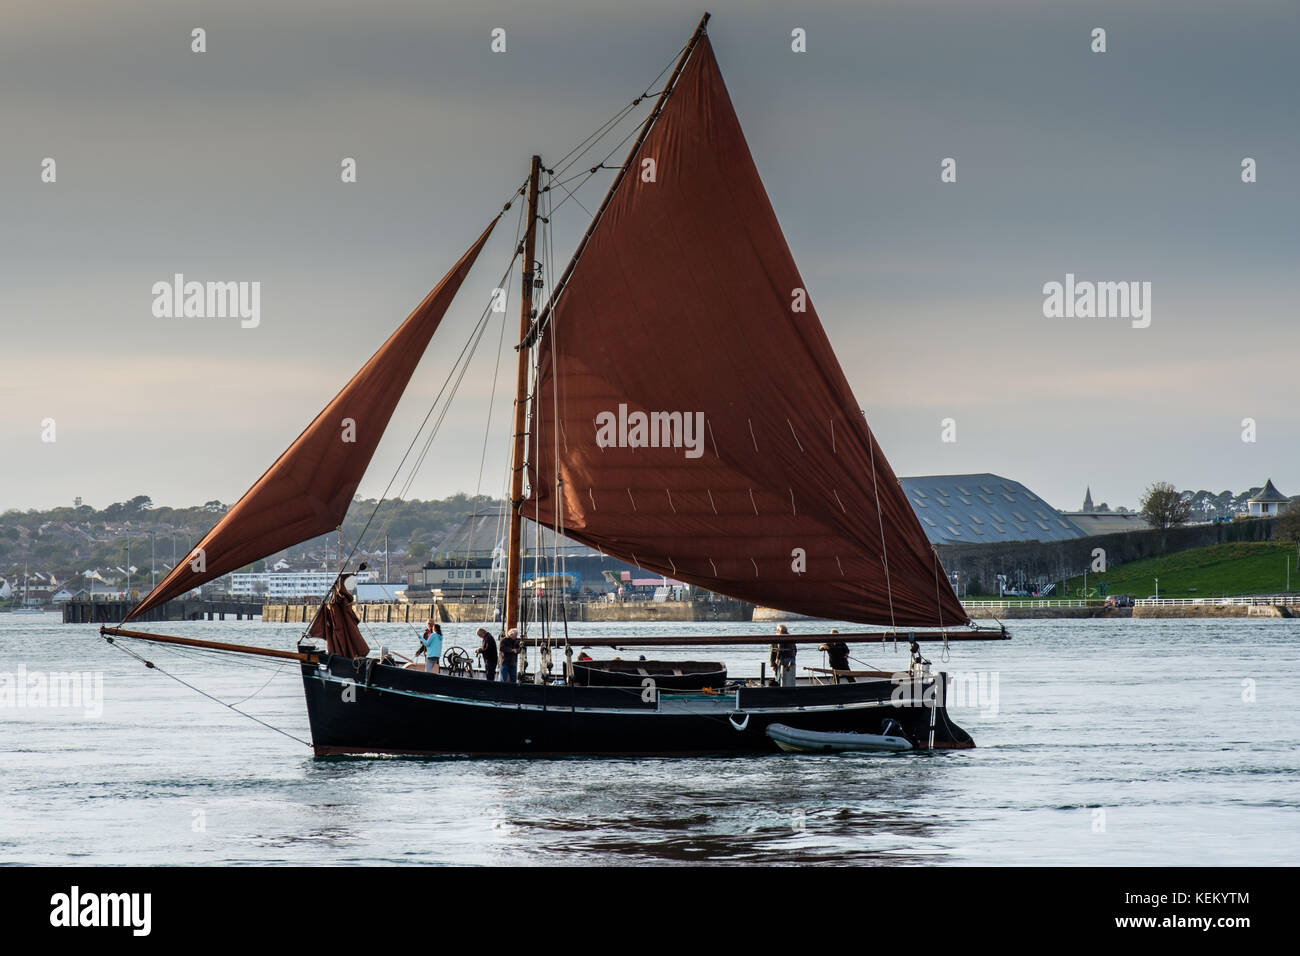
226,166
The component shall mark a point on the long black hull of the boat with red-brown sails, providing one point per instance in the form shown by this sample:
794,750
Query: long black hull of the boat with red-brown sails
363,707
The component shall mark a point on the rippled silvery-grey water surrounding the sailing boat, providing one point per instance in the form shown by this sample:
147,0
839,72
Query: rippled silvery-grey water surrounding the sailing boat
1113,742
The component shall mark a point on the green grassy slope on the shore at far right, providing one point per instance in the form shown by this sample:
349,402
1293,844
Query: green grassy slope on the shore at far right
1247,568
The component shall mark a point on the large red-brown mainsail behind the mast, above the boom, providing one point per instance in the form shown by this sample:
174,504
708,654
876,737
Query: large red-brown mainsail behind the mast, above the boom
753,473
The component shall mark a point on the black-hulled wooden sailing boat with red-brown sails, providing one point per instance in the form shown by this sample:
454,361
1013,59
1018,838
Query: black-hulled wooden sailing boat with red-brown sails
678,406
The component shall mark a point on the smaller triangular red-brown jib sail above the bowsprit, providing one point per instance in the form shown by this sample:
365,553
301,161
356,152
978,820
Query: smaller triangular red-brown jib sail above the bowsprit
310,487
